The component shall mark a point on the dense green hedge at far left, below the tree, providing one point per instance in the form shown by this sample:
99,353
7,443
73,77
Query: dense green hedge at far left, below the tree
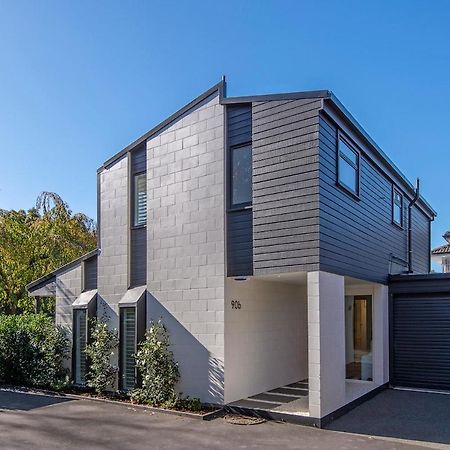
32,351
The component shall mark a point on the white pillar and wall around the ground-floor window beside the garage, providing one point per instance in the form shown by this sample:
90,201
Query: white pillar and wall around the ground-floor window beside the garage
328,388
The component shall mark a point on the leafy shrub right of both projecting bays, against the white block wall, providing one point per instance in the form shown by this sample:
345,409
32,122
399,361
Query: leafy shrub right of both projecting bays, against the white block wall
157,368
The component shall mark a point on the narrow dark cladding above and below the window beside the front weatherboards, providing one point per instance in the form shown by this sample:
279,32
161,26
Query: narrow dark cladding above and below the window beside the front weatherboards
239,222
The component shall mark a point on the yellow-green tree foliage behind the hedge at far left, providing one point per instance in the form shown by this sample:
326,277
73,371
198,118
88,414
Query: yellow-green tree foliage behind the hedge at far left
37,241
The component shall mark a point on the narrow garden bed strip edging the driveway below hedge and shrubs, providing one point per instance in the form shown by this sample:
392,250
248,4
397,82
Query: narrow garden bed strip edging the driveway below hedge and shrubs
206,413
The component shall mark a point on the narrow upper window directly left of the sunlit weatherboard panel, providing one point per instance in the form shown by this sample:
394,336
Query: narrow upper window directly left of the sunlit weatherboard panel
241,176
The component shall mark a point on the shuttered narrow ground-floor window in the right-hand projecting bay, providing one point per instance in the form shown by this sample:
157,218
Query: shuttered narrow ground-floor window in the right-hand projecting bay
128,347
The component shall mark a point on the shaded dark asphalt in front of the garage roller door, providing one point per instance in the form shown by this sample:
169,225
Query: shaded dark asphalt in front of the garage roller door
419,416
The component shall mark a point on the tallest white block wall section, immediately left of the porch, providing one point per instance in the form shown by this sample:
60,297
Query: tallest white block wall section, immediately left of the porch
185,244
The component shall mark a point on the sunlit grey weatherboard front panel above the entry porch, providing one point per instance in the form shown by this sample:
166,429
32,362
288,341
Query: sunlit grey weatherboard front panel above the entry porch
285,142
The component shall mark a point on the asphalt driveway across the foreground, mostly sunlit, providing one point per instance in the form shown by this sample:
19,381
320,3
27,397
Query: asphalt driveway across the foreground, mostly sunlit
44,422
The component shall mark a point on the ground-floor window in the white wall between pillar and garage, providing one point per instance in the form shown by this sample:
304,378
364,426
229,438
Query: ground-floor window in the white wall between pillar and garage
358,337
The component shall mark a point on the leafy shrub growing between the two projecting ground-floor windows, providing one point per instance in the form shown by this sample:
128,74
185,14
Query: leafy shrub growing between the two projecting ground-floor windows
101,374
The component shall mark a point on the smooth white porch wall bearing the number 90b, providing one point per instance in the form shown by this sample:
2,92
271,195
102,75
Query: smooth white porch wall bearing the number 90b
265,340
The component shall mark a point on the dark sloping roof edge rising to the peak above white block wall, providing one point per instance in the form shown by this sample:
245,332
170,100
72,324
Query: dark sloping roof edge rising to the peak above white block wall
219,87
